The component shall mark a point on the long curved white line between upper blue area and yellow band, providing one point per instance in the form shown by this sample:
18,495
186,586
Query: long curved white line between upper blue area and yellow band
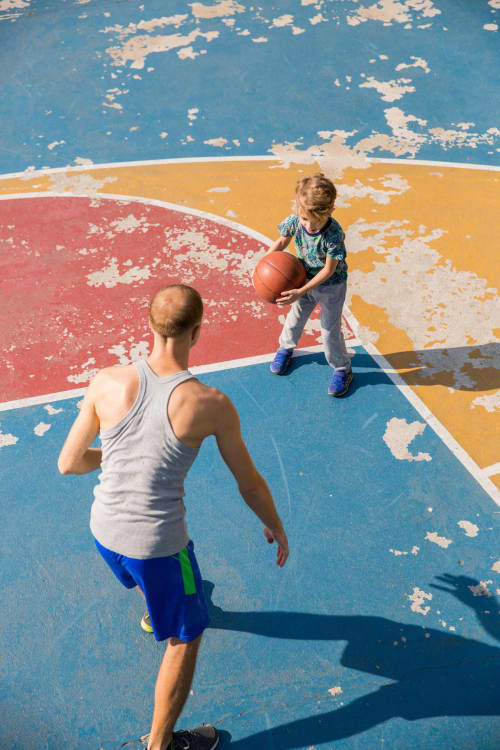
29,174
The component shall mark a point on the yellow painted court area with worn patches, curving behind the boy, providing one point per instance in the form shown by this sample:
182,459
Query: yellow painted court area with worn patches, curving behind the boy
424,271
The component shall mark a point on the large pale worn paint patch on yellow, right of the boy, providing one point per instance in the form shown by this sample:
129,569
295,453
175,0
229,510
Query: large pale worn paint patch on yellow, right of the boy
425,306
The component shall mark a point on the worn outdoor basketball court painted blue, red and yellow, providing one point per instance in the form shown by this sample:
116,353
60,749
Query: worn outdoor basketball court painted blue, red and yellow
140,149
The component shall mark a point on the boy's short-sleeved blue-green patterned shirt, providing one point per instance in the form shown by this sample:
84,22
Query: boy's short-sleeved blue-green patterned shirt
313,249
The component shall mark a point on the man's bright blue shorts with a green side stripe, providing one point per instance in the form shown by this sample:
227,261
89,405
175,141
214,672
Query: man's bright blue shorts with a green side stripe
173,589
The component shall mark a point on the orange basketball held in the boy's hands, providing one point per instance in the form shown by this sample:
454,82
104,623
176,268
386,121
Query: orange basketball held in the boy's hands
277,272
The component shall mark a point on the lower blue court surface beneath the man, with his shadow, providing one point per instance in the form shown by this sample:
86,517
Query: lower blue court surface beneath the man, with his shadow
381,630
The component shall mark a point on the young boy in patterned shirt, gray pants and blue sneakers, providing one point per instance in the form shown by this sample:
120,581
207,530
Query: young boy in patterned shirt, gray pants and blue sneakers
319,240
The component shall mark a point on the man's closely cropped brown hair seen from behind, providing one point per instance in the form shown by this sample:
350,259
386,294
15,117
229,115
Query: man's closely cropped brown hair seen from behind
175,309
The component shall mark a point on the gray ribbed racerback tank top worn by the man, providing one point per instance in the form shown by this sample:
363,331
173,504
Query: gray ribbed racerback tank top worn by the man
138,510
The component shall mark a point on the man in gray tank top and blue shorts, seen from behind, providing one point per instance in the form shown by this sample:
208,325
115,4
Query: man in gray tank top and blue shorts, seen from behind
153,416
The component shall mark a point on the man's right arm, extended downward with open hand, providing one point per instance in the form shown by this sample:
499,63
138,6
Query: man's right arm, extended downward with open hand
252,486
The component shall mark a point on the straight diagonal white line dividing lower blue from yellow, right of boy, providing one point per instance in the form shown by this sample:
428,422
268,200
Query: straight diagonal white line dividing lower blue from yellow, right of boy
480,475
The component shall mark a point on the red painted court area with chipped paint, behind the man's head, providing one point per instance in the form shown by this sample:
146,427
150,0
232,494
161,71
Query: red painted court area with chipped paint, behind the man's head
75,294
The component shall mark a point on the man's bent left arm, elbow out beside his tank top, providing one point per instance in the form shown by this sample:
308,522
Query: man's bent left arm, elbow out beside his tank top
76,456
